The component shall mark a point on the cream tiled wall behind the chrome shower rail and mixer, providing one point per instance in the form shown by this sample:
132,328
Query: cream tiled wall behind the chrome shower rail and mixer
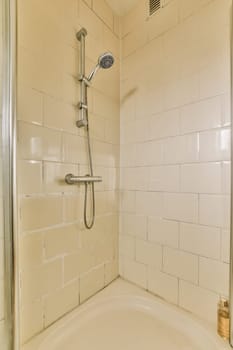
61,263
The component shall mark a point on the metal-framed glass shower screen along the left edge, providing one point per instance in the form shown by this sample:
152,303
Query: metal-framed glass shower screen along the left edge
7,169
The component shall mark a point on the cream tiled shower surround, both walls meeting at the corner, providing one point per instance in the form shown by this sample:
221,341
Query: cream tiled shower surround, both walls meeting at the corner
174,155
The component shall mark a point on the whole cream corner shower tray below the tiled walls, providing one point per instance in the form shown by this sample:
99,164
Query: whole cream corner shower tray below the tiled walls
124,317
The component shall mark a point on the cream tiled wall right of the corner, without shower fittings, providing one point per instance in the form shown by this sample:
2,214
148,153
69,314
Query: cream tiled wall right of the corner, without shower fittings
175,152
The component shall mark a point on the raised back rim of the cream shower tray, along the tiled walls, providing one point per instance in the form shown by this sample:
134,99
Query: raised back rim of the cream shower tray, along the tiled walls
117,290
